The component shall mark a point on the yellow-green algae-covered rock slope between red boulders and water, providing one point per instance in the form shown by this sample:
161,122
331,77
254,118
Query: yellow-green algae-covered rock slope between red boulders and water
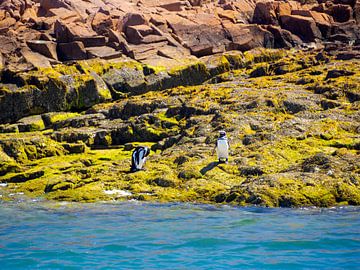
293,121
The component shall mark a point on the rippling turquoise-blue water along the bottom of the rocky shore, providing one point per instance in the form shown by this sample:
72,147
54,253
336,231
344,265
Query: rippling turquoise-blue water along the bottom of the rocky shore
39,235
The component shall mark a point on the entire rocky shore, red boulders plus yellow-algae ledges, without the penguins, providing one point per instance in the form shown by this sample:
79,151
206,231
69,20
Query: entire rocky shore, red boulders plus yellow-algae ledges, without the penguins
84,82
